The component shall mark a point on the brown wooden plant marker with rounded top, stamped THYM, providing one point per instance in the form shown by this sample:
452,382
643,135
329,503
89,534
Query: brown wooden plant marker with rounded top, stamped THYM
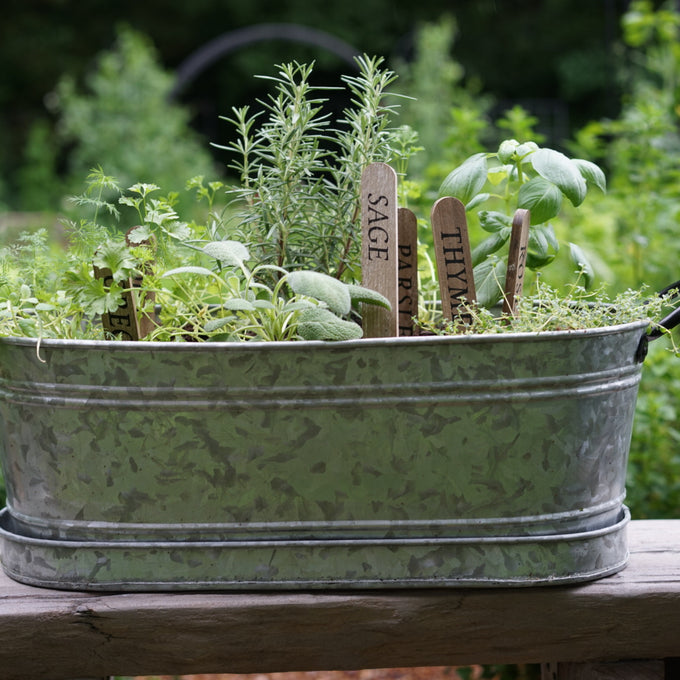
453,257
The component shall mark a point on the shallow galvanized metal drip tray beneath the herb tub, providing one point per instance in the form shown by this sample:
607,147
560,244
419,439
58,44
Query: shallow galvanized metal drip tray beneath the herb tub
337,563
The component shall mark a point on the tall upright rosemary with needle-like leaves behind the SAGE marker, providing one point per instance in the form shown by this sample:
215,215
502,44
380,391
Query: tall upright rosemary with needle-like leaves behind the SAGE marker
300,171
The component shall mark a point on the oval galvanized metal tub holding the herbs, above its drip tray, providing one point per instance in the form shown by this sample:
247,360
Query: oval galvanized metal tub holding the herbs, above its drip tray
518,435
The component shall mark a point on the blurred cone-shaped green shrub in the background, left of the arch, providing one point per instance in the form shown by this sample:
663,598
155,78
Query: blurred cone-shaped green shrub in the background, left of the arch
124,118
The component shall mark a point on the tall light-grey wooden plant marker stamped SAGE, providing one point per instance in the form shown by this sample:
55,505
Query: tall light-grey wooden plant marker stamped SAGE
379,248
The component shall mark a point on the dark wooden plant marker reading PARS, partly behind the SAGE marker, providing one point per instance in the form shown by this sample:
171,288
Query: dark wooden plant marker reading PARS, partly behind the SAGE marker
408,271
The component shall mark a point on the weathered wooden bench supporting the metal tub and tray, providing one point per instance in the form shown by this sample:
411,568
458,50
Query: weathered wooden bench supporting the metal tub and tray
631,618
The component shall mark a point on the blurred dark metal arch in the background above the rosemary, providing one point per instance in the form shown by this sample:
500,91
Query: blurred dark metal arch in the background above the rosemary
215,49
